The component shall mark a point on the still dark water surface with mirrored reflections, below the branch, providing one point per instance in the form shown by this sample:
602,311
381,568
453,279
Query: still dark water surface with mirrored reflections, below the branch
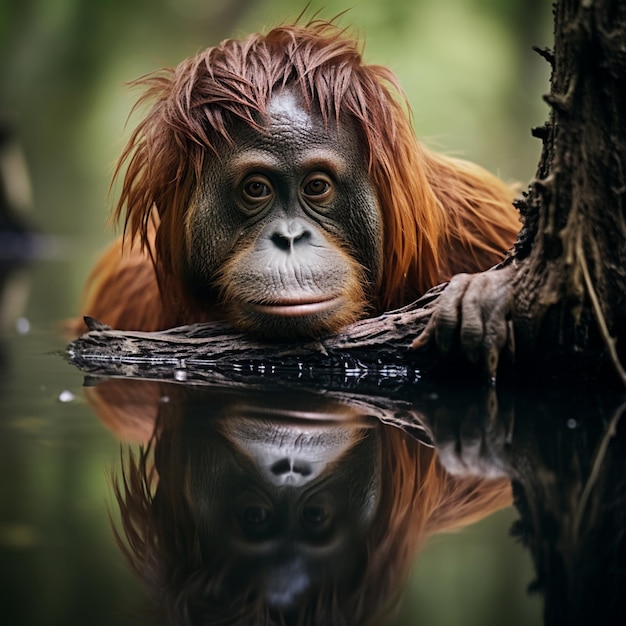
268,498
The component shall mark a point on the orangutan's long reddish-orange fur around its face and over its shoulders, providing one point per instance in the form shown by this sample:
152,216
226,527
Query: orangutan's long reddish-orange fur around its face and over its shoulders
441,215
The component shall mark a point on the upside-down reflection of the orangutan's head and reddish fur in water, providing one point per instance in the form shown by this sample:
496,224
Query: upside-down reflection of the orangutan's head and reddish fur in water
252,507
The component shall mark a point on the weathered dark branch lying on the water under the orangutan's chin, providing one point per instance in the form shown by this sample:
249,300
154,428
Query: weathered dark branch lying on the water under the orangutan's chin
380,345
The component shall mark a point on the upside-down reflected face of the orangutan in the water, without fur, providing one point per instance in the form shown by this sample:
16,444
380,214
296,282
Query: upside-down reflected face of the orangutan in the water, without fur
288,499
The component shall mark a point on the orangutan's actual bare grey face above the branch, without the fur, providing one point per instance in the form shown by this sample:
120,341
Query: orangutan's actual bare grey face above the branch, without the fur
286,226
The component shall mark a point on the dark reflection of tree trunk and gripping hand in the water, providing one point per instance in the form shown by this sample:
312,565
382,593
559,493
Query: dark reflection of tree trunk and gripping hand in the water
565,453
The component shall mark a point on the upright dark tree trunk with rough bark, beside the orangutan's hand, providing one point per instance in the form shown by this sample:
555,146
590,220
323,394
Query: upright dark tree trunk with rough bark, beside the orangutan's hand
570,284
